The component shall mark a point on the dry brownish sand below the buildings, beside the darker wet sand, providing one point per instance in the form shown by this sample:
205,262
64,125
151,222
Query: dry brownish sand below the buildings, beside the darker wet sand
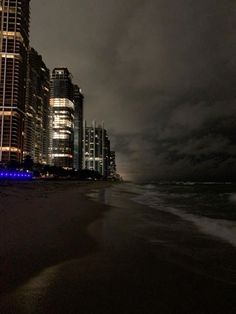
42,224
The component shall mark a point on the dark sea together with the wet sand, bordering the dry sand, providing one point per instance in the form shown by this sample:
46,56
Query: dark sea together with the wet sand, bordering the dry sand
161,249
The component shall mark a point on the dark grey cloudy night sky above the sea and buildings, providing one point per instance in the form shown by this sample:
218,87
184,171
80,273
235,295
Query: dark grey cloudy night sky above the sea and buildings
161,74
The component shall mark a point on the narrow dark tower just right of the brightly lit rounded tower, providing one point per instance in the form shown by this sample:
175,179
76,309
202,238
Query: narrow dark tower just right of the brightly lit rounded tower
78,129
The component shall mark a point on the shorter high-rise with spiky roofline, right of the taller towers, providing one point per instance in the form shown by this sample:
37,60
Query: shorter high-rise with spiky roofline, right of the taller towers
96,148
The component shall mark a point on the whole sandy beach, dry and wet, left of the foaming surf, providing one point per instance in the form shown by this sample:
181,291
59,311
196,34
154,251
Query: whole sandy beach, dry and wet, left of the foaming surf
64,253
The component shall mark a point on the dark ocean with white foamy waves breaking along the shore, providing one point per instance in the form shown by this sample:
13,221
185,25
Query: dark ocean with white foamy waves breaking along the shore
210,207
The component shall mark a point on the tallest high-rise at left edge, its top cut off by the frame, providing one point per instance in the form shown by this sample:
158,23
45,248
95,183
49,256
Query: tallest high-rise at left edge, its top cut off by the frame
14,42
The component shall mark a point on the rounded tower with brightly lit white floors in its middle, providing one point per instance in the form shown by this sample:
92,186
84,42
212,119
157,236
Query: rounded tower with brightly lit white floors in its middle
62,110
